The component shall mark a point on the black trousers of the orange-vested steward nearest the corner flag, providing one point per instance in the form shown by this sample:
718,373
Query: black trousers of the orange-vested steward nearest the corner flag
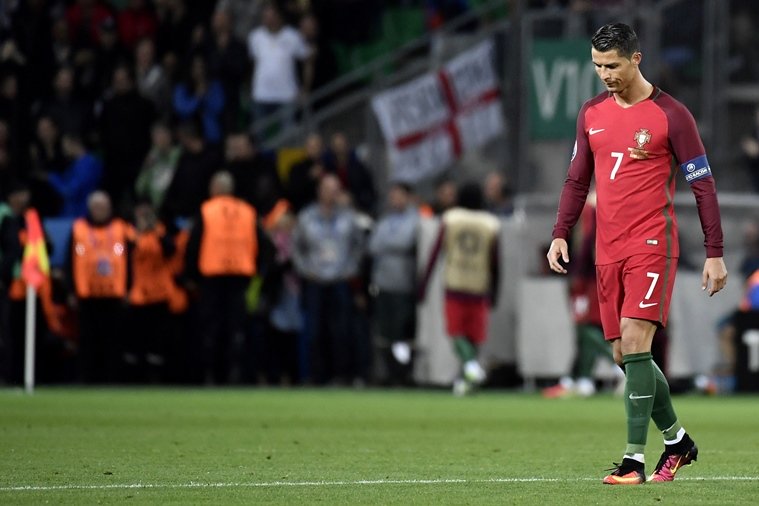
101,324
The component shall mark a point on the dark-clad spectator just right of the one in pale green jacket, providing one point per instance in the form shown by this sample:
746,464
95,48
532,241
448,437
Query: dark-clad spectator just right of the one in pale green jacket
189,186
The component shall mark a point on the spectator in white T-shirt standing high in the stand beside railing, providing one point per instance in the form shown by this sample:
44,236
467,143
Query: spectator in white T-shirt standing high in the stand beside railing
275,49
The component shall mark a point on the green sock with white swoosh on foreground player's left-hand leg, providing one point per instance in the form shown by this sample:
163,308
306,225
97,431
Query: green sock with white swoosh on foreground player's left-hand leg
640,390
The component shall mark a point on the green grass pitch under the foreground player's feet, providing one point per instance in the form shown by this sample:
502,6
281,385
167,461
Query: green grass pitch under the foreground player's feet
253,446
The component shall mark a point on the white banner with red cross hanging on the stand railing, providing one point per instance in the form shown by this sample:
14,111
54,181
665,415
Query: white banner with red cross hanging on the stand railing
429,122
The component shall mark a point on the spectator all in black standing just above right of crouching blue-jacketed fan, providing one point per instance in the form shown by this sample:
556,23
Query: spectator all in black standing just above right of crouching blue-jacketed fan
124,128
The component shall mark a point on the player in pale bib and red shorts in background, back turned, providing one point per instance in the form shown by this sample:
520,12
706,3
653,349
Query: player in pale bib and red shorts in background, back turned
469,238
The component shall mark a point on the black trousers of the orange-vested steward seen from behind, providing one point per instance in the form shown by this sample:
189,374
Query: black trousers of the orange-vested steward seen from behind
221,308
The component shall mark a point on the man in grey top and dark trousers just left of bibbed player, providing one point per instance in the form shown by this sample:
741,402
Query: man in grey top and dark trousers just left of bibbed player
392,246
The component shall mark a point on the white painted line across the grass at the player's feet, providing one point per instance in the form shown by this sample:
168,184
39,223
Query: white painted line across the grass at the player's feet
267,484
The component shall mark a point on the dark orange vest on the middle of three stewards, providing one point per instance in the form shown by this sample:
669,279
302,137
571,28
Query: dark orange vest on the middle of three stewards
151,271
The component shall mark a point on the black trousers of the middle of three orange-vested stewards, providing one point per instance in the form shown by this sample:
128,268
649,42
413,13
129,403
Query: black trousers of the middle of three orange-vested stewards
145,346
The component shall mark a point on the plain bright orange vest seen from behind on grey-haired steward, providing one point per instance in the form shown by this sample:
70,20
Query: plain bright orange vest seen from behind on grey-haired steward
229,245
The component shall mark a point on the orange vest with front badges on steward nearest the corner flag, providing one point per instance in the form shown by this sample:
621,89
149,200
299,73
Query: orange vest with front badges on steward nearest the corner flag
99,259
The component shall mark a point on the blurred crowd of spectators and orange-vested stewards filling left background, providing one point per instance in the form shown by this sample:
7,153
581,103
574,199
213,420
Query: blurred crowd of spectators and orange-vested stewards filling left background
124,124
